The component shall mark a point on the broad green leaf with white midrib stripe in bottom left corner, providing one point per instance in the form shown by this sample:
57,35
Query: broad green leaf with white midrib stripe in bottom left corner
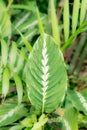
11,112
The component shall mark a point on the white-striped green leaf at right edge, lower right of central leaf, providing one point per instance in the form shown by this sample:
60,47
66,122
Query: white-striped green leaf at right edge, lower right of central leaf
78,100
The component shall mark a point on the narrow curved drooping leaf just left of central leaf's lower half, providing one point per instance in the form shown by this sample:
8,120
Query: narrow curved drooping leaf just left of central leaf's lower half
19,87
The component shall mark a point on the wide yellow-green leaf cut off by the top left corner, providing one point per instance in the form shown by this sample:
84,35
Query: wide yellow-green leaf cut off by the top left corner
5,23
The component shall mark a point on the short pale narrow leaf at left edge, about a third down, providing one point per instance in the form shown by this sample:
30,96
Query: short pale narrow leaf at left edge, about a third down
4,51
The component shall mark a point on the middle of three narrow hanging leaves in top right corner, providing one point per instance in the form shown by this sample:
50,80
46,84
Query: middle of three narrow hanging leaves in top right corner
76,6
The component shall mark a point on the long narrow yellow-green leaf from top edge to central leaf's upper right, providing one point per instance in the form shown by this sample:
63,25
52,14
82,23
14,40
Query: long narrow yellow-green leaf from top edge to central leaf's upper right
54,21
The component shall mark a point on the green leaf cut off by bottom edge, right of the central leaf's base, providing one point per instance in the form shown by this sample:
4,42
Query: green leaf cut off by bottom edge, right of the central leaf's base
70,119
